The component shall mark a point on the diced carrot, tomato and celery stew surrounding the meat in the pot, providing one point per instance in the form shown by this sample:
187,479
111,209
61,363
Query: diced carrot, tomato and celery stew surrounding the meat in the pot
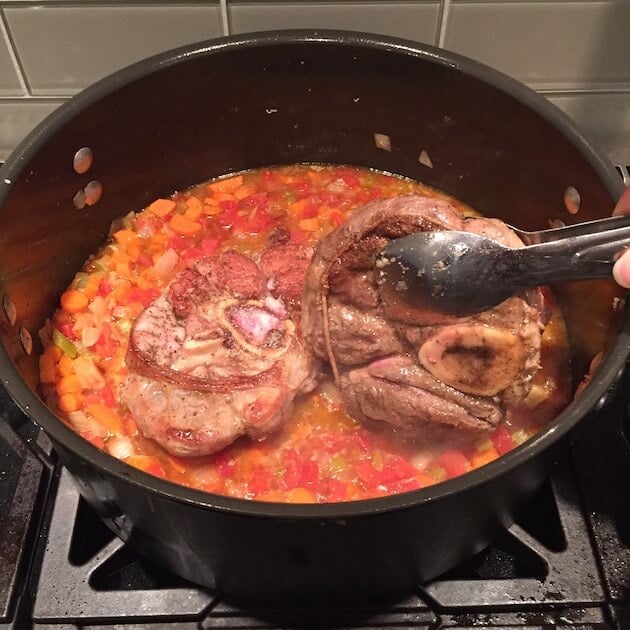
321,454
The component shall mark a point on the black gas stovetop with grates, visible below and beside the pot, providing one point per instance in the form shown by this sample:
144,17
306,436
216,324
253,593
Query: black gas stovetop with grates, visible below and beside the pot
565,562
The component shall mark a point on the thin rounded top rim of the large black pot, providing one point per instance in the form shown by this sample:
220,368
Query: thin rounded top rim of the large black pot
610,368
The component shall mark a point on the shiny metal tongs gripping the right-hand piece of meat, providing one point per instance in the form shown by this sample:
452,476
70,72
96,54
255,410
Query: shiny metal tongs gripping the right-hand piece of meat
460,273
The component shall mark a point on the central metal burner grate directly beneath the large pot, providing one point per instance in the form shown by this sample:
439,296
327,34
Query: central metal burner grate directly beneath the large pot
538,572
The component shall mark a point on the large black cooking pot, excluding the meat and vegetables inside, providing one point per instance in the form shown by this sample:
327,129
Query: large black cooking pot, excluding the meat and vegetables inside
279,98
